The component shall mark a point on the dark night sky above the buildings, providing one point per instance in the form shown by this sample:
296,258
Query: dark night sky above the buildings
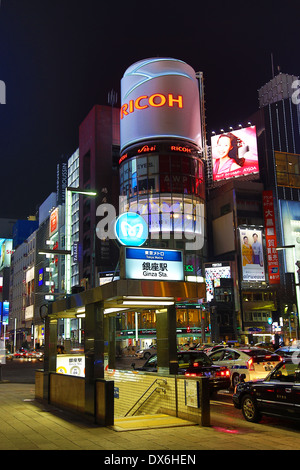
58,58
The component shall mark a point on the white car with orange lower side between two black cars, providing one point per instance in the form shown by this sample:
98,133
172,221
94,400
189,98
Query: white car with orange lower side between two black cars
254,363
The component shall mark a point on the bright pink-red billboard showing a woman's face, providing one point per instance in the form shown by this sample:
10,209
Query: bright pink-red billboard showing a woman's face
234,154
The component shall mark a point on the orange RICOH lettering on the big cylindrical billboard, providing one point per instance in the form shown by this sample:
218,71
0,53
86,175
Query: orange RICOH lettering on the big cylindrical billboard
156,101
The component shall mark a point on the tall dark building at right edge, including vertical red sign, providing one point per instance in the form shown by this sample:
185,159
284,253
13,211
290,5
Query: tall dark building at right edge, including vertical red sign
278,132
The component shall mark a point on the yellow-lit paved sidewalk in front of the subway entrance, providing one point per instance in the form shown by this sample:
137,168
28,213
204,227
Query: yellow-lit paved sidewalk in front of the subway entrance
26,424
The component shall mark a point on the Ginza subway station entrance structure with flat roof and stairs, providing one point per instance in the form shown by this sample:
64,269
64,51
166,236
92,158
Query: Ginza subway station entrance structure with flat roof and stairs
100,307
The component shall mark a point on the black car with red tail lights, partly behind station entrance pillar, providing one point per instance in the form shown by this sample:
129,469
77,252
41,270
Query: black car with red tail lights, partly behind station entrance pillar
195,364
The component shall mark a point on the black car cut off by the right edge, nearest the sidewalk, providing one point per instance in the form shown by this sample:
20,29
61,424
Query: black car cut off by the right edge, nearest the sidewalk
278,394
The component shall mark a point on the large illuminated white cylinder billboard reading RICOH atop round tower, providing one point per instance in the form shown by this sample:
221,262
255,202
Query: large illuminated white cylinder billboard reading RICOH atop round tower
159,99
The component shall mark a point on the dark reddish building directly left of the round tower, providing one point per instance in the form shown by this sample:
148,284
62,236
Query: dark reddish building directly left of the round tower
99,147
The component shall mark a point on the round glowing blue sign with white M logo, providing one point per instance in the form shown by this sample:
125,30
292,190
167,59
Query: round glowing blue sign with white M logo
131,229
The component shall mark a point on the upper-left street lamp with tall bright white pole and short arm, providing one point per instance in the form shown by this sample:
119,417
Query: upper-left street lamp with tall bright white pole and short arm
68,230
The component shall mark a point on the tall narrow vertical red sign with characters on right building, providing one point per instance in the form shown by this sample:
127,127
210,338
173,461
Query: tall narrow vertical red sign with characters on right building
271,239
